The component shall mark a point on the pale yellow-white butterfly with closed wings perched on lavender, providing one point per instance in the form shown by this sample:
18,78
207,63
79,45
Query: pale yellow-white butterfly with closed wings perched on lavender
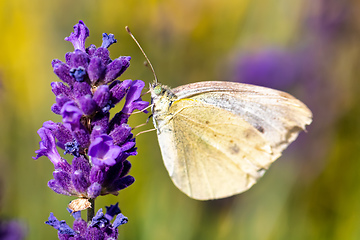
218,138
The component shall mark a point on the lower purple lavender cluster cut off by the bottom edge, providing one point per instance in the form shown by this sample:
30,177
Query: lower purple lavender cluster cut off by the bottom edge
99,228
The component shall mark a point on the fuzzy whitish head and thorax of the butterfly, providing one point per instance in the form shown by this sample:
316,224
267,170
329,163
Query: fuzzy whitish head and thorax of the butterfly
161,99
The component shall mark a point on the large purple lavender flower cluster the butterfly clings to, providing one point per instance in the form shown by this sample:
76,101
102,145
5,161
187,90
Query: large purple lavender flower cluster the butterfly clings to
100,145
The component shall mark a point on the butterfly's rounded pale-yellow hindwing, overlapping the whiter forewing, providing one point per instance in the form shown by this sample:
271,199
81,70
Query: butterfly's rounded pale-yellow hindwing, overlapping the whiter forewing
210,152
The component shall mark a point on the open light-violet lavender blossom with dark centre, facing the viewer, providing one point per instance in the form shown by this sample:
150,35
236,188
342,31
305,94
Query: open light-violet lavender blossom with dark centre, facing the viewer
102,151
